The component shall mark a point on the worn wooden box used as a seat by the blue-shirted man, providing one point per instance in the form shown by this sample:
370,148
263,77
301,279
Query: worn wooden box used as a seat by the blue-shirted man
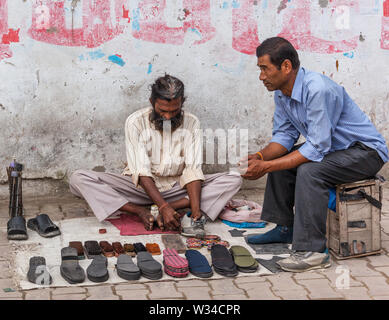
354,230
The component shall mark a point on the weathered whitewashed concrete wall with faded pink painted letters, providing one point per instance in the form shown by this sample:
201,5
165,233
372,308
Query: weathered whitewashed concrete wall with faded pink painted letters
72,71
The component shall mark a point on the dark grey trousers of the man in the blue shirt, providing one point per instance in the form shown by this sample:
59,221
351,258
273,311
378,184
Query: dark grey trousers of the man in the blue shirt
306,188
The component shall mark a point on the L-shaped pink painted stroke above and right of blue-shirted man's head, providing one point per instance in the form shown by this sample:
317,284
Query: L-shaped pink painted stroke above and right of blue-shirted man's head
297,29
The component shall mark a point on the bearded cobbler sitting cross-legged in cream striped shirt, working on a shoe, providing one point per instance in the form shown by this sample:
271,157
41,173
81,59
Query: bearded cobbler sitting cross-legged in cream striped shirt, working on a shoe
164,157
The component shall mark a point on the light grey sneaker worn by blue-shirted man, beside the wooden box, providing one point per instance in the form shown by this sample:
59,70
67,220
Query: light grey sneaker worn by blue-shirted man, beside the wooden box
300,261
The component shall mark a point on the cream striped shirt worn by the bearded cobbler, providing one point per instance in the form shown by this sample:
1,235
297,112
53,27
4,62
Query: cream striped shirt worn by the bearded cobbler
168,158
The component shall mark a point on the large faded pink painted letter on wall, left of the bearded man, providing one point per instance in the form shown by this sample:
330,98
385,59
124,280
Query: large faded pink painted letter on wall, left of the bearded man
49,25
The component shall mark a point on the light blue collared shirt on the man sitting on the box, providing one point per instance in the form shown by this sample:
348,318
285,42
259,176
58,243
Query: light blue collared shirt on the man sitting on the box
325,115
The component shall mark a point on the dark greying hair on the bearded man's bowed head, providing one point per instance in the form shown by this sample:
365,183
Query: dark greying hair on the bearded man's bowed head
167,88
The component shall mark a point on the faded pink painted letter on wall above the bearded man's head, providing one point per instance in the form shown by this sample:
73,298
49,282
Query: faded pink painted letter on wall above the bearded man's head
151,24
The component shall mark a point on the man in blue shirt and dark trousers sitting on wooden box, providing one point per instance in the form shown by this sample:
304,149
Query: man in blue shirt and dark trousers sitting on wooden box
341,146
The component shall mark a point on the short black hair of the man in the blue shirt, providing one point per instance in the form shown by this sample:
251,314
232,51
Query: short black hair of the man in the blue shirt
279,49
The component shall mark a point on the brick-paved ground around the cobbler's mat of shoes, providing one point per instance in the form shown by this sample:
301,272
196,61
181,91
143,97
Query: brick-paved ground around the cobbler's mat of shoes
367,278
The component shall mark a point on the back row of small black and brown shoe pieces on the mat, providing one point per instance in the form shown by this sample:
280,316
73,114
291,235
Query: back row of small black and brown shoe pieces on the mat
93,248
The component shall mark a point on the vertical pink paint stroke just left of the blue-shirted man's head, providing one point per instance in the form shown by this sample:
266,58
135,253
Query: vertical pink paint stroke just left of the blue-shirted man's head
244,28
